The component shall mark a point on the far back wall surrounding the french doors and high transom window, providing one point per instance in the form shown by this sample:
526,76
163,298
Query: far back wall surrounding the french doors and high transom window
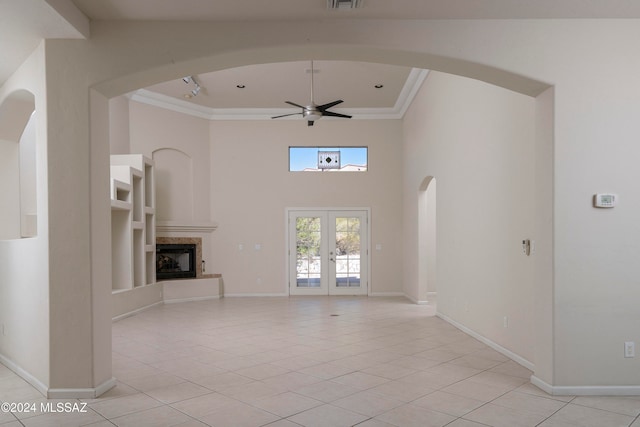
251,187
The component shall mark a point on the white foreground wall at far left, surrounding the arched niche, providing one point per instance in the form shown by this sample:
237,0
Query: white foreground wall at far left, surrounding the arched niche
24,263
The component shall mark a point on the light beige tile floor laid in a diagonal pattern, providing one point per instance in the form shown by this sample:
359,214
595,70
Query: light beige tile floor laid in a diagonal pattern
312,361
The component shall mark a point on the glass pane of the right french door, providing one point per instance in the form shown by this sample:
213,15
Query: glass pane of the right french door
347,252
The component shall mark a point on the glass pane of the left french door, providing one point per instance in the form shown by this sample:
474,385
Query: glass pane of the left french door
308,261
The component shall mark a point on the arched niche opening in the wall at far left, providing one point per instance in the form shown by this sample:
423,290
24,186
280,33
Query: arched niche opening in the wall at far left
18,206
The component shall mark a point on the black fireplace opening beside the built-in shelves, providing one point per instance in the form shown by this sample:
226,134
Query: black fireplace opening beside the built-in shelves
175,261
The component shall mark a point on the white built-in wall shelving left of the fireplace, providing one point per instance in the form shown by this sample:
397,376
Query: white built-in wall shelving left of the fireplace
132,221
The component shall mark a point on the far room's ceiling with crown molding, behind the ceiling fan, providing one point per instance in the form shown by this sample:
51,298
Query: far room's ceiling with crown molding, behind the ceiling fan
260,91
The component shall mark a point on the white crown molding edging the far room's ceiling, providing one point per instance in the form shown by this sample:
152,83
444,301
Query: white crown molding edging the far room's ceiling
405,98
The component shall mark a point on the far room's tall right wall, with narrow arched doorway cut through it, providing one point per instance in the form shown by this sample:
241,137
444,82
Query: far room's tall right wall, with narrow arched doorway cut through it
477,140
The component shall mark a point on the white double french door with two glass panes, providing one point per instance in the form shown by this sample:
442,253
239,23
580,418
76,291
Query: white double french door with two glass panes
328,252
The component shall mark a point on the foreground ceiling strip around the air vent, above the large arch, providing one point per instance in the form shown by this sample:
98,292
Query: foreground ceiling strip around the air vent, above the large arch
229,10
